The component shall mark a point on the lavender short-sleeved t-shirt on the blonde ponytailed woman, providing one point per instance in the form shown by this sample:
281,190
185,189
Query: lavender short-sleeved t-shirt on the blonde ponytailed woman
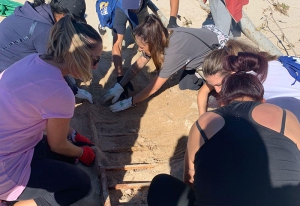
31,91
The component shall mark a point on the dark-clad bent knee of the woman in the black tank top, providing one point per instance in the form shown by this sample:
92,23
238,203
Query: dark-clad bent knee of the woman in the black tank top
166,190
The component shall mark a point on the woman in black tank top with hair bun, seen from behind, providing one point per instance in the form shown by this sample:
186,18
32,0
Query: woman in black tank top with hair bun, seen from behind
244,153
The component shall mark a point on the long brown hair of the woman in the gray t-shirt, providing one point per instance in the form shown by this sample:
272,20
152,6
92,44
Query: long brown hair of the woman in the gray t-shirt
153,32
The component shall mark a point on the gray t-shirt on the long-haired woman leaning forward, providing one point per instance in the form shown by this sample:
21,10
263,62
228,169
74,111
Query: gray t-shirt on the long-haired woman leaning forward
185,50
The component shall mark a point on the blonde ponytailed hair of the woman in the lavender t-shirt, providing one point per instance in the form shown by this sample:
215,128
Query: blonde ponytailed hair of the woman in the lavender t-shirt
70,43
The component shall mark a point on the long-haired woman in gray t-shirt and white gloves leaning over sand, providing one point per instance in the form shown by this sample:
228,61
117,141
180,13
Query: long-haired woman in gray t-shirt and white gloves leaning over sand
171,51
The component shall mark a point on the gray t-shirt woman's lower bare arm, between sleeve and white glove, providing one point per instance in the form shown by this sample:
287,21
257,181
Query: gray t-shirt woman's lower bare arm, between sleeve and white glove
150,89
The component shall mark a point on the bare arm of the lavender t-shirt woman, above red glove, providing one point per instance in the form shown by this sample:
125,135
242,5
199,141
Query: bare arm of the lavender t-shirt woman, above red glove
57,131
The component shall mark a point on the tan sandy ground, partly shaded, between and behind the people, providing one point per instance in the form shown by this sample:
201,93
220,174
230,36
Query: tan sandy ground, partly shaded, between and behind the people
154,132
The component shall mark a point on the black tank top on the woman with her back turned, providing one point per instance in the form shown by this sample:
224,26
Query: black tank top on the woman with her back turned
247,164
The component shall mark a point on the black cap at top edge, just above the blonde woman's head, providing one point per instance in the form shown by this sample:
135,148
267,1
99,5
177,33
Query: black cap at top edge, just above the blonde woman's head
75,7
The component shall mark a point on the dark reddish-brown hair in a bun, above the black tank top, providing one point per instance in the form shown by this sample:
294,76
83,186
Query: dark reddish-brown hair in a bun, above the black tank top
247,71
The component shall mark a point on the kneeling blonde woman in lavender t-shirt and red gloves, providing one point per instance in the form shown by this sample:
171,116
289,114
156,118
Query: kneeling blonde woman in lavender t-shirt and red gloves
34,97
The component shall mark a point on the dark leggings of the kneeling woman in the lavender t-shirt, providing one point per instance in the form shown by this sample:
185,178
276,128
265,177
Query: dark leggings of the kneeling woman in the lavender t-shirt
54,182
